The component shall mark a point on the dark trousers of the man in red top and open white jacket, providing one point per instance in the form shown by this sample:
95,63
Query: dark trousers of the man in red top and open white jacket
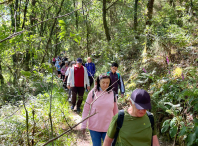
77,91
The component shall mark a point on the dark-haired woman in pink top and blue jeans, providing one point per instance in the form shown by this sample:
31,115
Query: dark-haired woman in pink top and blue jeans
105,106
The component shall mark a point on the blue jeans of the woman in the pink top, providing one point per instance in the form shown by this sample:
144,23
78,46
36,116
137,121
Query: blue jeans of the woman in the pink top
96,137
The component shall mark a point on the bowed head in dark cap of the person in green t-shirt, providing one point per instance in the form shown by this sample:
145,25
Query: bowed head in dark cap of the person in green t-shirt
140,102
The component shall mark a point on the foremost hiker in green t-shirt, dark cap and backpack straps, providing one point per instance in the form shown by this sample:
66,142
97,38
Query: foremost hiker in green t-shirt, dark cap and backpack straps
138,128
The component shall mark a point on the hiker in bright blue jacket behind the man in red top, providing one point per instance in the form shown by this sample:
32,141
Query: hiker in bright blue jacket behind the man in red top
90,70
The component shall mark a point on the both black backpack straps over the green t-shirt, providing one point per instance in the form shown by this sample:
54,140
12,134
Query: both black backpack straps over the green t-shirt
120,122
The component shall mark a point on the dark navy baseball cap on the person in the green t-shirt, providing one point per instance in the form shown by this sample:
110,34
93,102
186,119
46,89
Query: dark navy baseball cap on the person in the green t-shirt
141,99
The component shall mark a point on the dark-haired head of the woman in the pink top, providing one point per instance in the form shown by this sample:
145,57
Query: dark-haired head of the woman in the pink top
103,81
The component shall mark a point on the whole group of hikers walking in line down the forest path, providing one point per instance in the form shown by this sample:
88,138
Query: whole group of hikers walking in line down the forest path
130,127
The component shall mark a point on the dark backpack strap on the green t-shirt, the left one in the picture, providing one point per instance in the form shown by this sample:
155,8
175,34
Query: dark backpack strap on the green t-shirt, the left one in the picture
119,125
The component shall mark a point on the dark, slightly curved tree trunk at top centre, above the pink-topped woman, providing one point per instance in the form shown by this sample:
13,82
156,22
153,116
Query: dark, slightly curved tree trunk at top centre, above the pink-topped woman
105,21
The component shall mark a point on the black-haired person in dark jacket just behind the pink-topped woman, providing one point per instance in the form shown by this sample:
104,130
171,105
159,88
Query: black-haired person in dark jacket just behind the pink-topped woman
116,80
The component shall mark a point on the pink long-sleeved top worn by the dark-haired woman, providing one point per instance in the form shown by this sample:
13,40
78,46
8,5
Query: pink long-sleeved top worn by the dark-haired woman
105,107
